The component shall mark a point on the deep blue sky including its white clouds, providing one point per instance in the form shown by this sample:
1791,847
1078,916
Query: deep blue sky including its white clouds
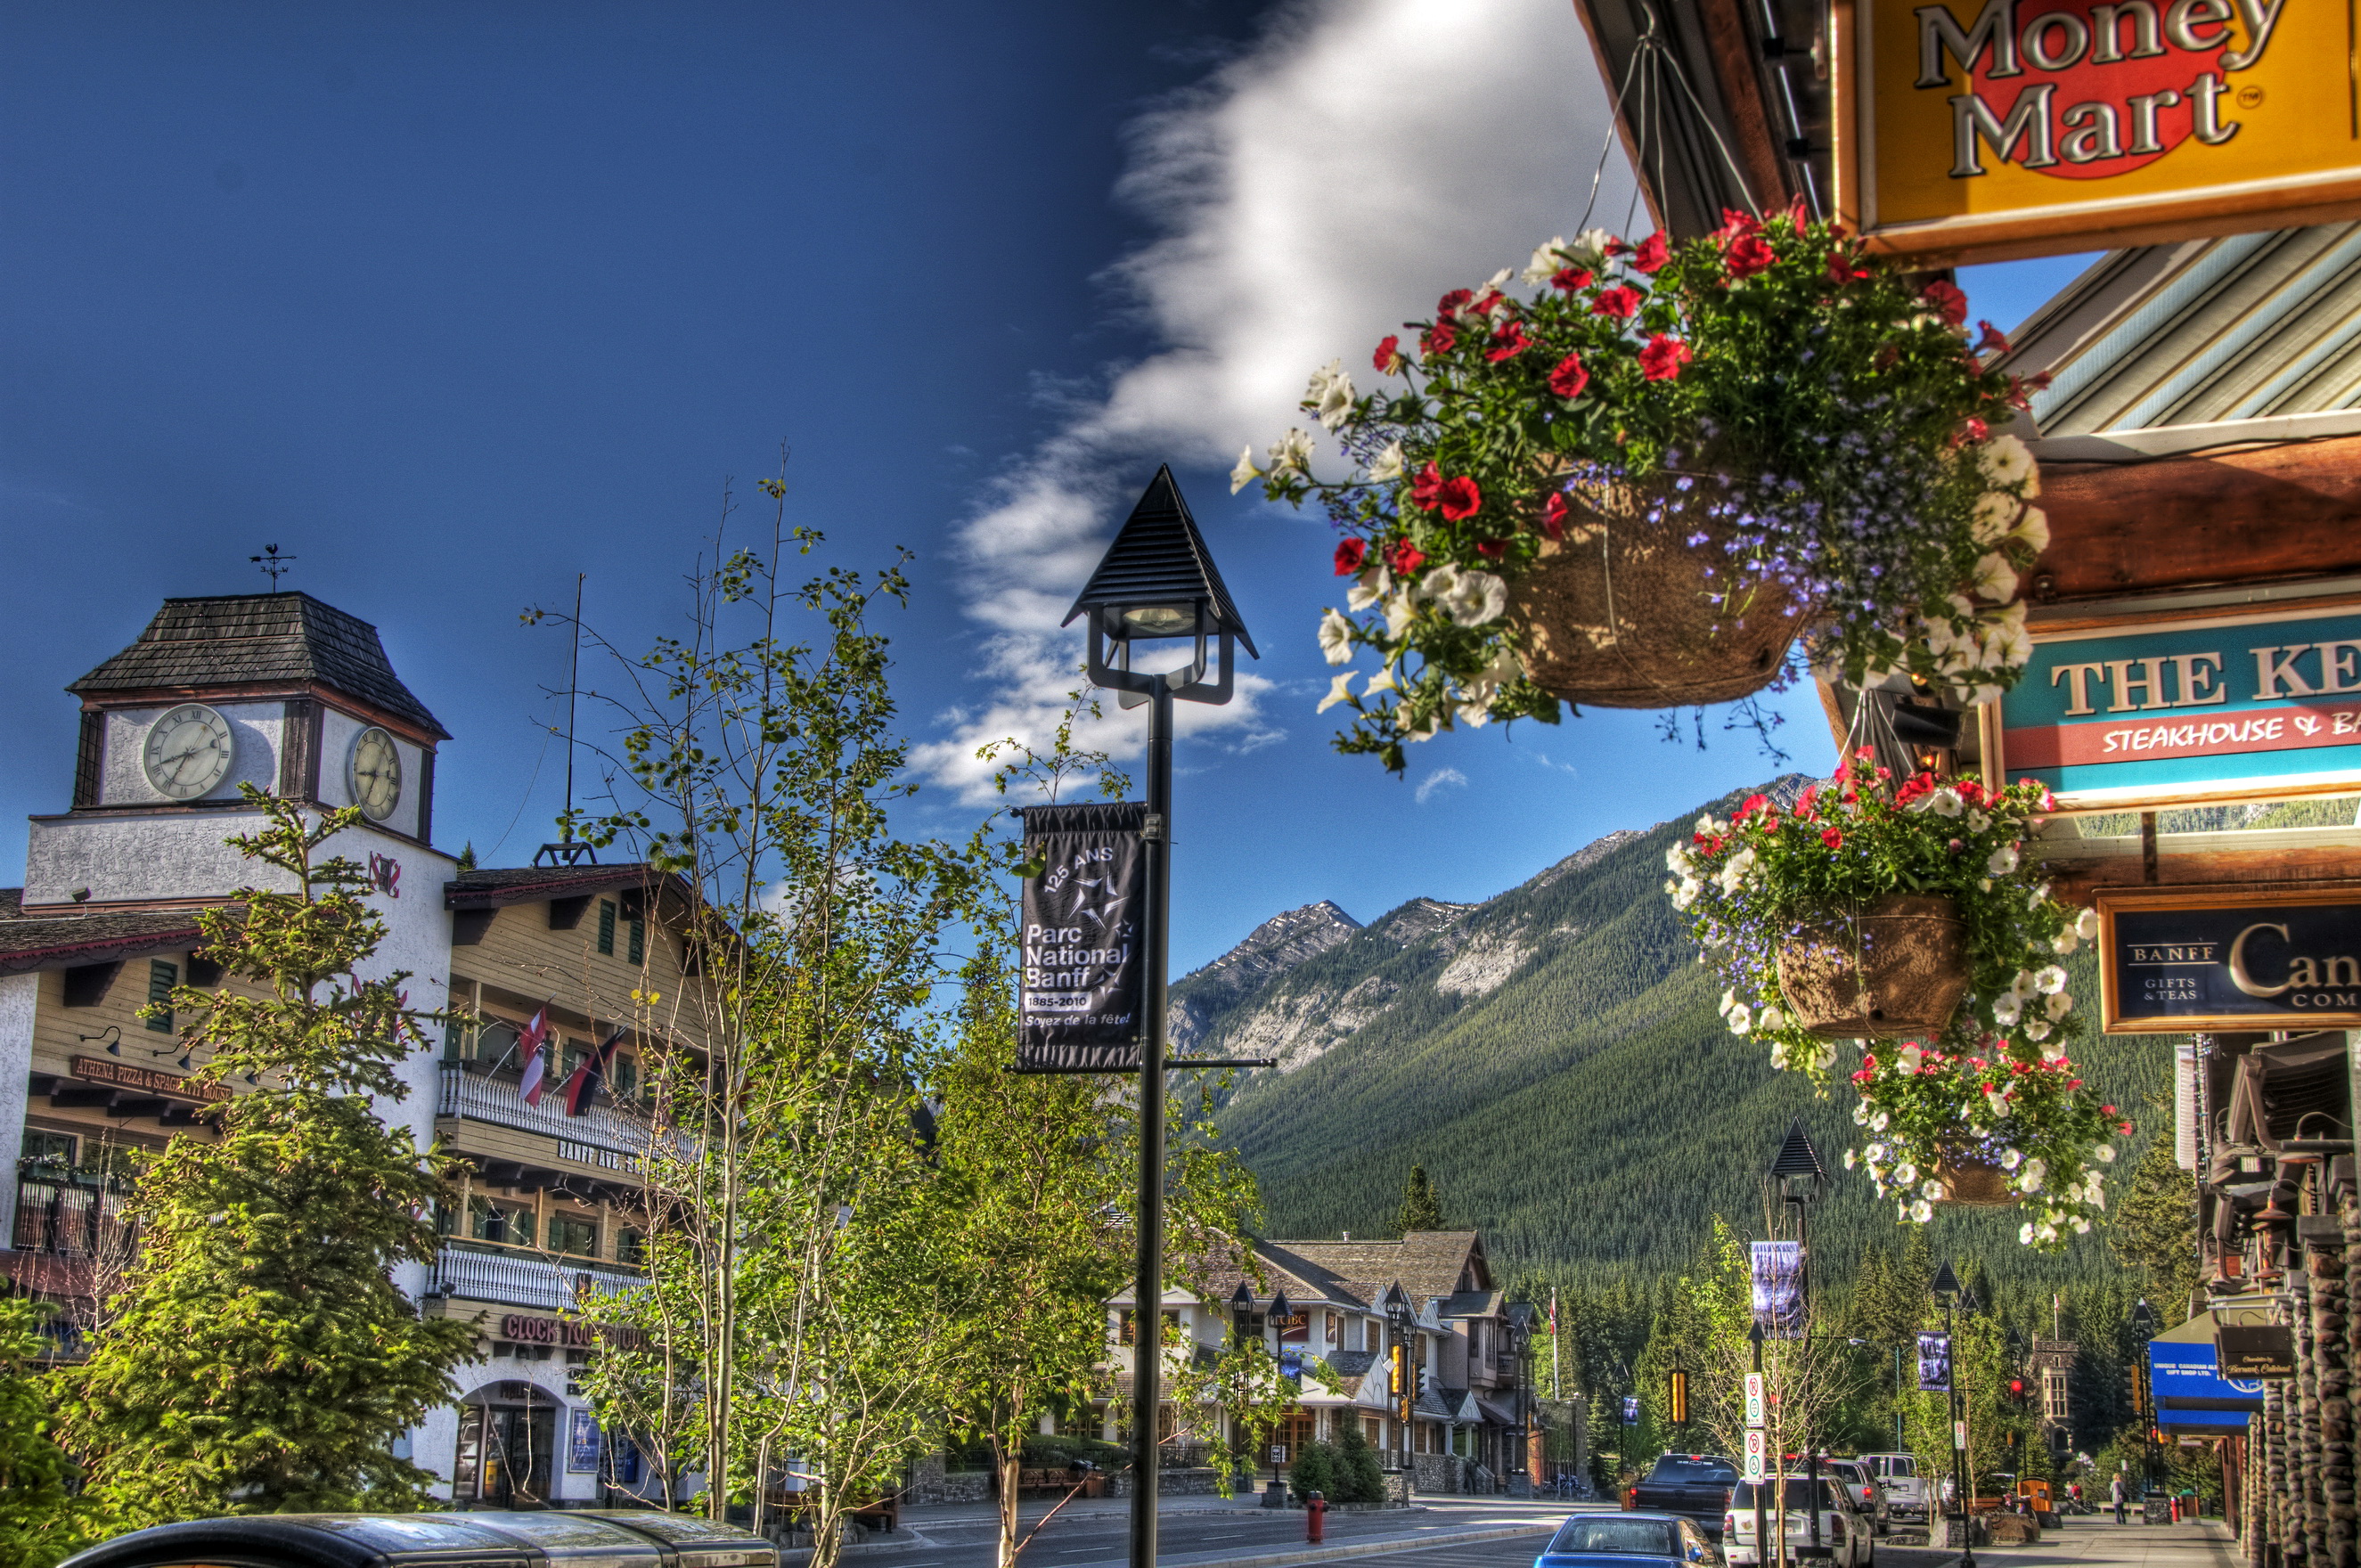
459,301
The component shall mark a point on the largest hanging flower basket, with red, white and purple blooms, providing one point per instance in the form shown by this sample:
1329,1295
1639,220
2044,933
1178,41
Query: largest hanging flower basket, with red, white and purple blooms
1640,476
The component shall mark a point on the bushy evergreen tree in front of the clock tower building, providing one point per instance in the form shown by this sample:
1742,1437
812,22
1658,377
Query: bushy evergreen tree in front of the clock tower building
261,1357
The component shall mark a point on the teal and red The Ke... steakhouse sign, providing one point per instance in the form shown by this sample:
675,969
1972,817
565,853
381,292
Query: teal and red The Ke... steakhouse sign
2225,707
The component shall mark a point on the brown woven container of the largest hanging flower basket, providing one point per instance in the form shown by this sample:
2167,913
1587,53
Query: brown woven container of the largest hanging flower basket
1616,615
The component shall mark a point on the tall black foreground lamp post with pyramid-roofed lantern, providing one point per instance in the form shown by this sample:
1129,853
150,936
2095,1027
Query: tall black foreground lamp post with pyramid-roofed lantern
1158,582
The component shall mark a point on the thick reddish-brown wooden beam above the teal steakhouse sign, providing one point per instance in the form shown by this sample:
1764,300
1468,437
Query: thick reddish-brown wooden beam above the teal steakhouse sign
2254,516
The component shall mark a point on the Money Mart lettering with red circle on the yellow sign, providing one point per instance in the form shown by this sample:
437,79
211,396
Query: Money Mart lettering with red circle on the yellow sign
2088,93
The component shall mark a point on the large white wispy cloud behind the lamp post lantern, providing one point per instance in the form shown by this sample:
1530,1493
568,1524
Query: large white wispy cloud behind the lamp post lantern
1314,192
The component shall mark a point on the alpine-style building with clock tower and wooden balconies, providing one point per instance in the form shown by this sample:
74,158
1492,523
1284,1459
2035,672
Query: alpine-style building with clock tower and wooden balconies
296,698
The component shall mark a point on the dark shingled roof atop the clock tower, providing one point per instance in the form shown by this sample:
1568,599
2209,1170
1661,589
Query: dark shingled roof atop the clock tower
261,639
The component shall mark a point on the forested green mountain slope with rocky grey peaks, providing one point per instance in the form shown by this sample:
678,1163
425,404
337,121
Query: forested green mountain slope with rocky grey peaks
1555,1059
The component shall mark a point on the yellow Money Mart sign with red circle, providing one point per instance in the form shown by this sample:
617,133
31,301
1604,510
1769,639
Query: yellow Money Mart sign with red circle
1999,129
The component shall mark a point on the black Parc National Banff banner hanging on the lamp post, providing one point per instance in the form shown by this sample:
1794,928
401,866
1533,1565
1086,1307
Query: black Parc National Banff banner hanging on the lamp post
1083,974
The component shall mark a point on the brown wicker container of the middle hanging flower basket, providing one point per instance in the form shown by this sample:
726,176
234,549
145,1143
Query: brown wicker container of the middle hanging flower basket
1897,969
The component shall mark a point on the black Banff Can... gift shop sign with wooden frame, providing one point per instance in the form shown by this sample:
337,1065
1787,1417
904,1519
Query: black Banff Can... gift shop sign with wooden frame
2176,960
